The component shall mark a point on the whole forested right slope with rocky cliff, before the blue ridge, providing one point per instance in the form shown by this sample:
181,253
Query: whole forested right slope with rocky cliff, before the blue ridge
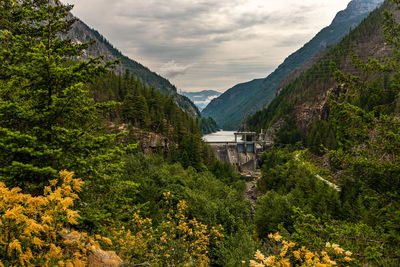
339,123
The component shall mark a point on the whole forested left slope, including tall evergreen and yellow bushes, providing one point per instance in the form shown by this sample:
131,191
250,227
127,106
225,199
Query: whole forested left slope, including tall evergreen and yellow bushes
64,119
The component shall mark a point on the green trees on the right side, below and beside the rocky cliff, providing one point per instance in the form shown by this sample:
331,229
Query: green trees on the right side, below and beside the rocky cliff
360,145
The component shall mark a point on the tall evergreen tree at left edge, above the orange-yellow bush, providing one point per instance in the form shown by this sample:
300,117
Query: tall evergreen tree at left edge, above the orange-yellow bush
48,121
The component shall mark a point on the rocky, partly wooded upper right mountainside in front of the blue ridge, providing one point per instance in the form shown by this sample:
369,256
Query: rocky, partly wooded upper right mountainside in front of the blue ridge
304,99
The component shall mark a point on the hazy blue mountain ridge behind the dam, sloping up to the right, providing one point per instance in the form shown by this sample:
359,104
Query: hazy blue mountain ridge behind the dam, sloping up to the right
244,99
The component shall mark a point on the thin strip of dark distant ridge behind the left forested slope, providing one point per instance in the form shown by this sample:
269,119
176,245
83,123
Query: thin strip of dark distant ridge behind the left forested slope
80,32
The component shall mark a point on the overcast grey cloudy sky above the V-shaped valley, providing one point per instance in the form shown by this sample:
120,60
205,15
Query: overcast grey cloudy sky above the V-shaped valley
208,44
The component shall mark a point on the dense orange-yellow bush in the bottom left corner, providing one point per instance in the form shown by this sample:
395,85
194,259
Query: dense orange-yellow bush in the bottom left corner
32,229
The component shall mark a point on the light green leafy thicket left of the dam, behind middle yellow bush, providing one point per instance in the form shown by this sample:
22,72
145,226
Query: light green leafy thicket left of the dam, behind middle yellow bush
209,199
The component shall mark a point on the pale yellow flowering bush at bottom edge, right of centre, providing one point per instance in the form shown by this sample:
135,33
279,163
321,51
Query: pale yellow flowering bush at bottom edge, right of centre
289,254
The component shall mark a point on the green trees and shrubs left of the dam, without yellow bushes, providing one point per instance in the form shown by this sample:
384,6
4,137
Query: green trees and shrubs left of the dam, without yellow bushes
53,116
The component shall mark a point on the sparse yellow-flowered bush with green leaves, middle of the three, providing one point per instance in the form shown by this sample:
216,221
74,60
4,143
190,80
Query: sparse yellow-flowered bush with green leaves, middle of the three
177,240
